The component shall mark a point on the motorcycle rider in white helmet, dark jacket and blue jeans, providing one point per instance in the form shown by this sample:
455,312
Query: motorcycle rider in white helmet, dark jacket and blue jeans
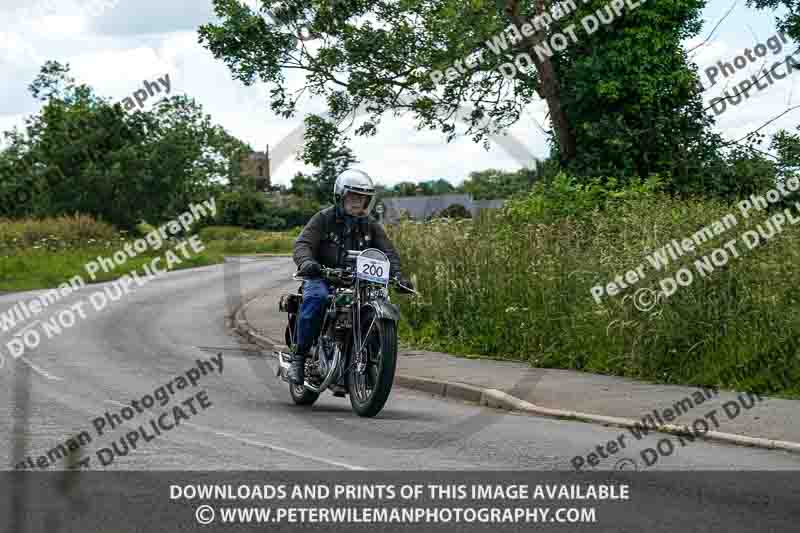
324,242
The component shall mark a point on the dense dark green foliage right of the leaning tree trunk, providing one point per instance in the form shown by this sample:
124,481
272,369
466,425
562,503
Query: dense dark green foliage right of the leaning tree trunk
631,92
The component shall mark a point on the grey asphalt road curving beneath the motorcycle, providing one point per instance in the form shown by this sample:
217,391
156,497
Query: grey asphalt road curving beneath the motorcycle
157,333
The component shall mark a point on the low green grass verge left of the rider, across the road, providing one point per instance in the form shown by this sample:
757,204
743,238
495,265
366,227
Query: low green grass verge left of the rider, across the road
36,254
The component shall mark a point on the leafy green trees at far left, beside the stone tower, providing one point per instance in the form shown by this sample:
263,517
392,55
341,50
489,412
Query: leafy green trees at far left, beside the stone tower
82,154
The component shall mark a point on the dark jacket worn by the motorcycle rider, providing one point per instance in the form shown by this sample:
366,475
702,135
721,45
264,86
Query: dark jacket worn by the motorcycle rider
325,239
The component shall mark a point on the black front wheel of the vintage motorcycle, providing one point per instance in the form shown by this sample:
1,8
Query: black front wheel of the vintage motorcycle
370,390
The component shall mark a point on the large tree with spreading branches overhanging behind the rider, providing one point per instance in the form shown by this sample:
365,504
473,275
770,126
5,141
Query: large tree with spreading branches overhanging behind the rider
606,94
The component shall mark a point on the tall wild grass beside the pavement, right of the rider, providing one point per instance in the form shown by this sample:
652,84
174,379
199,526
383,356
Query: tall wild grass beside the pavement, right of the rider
522,291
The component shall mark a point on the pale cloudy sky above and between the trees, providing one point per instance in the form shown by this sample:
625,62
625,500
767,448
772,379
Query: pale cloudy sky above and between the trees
116,45
